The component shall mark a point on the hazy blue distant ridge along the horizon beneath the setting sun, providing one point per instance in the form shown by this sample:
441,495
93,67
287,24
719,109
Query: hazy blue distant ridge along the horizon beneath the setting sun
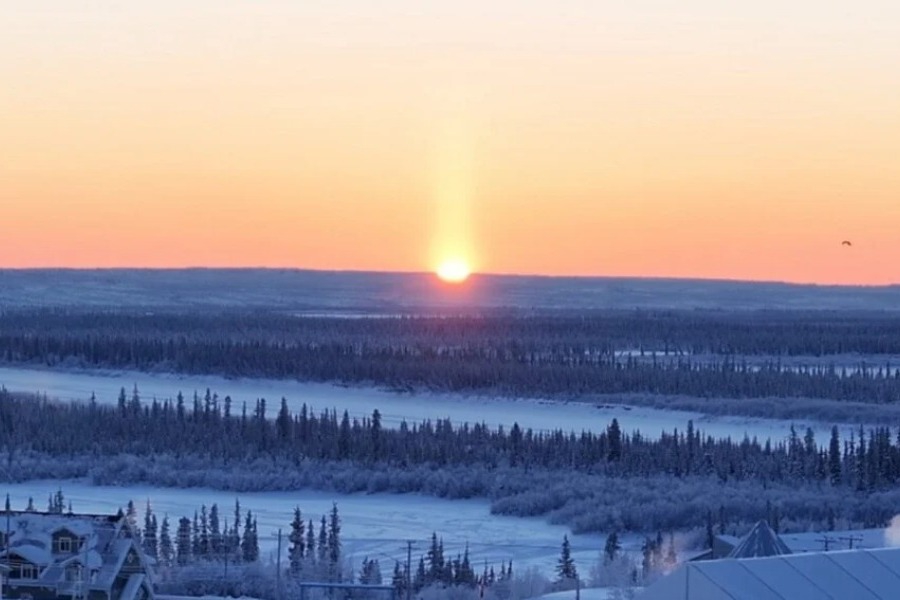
367,292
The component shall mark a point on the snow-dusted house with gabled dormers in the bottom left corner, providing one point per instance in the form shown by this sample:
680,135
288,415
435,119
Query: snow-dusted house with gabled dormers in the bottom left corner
51,555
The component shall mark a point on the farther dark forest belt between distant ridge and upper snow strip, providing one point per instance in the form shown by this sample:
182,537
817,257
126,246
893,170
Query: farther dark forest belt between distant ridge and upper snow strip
832,357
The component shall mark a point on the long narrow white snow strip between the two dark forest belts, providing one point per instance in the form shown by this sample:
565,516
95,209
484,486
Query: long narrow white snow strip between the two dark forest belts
395,407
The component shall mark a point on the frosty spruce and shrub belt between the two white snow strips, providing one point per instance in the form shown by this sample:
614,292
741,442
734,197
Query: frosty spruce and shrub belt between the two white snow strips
602,481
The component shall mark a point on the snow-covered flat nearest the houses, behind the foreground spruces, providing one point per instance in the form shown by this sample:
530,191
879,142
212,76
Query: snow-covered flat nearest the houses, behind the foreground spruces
373,526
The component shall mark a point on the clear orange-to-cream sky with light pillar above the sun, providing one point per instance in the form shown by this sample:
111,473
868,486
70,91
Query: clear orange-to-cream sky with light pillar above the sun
652,138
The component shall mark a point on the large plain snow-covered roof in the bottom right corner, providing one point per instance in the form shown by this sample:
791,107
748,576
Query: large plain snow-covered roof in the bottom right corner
857,574
